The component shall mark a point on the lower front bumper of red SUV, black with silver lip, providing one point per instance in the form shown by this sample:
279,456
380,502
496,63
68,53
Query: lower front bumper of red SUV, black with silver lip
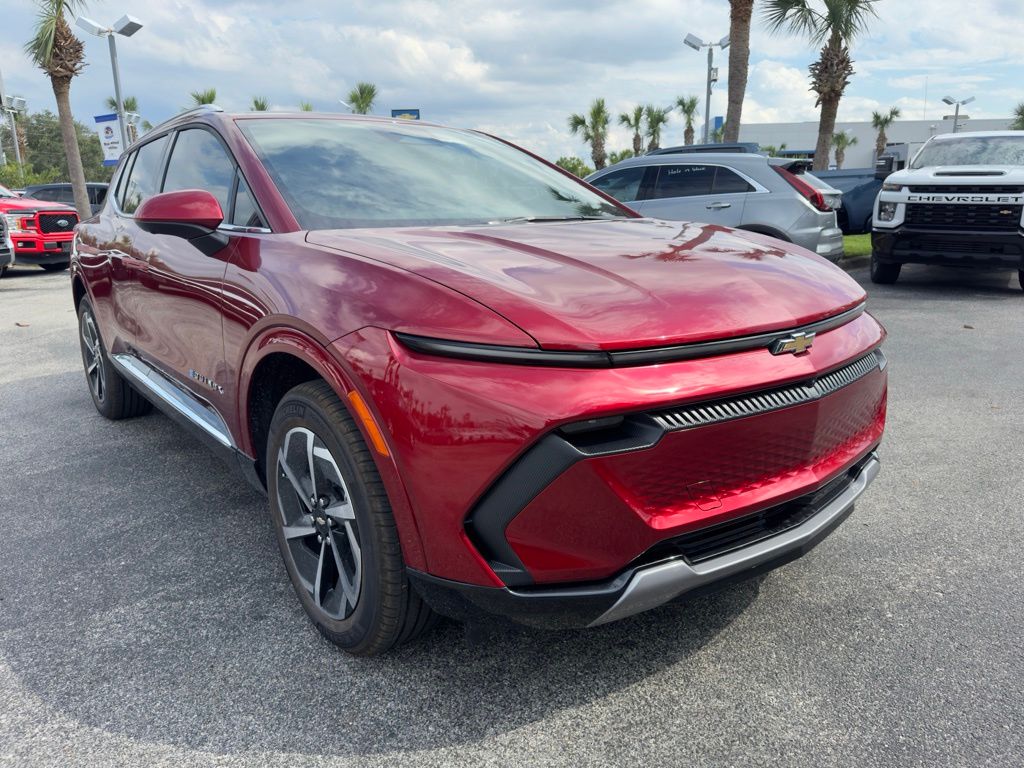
652,584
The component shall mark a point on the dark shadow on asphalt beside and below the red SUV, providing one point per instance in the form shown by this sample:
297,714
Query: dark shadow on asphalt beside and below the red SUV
144,595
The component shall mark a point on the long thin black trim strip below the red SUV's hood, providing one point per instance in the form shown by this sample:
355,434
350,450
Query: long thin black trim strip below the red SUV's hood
621,359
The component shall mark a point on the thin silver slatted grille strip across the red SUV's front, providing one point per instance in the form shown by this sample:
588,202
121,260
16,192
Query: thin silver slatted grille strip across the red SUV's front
774,400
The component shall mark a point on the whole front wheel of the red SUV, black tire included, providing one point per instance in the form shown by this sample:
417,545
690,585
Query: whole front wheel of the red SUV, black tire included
338,540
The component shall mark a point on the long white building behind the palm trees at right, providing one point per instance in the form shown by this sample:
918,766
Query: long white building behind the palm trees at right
912,134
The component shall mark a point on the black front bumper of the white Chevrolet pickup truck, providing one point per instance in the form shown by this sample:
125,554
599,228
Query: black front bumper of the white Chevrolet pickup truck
968,249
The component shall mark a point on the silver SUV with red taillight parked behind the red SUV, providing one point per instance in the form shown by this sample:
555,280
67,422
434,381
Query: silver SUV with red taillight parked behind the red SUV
743,191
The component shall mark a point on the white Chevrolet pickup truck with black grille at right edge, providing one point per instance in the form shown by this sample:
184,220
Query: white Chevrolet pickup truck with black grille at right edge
960,203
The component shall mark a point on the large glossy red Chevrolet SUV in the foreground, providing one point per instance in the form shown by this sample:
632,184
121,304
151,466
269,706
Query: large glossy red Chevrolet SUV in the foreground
470,383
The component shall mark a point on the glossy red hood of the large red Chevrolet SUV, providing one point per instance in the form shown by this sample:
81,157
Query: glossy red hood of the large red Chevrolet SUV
622,284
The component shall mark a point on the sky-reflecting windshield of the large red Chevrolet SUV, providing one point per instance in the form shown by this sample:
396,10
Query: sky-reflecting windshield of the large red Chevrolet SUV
340,174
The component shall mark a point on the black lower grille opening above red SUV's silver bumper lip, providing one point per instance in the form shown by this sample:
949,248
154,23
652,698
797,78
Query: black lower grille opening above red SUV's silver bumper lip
744,532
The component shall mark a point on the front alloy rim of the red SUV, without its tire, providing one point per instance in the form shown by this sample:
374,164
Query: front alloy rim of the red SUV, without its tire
319,525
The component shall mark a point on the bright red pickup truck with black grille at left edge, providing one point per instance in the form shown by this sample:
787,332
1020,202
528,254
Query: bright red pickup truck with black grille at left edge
41,232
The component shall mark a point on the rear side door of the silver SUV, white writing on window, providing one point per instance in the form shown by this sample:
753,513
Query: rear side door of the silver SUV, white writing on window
697,192
